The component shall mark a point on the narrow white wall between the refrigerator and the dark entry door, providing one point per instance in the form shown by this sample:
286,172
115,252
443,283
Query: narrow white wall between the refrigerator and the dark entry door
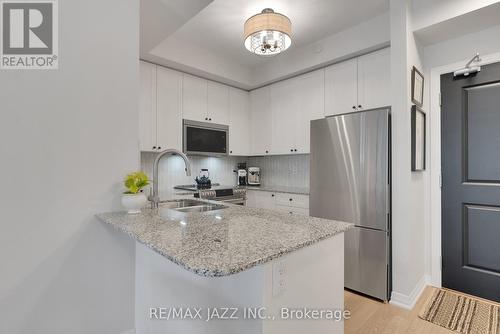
409,188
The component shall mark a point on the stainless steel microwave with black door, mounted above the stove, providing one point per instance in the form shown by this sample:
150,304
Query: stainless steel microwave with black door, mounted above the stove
205,138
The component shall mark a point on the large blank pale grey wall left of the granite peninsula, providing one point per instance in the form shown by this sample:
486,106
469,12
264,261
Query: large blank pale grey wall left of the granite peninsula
67,137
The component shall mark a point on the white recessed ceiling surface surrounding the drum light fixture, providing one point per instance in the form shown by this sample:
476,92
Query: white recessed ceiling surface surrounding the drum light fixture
218,28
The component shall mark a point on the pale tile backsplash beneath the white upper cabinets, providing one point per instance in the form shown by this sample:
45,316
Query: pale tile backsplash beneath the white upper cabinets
282,170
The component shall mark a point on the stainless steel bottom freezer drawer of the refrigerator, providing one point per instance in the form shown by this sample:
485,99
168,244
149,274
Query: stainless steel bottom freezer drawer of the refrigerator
366,261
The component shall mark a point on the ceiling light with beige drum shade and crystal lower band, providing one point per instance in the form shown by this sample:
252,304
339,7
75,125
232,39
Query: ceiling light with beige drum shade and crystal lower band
268,33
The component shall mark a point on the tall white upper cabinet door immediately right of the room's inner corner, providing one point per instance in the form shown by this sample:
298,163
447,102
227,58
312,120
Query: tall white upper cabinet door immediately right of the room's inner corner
261,121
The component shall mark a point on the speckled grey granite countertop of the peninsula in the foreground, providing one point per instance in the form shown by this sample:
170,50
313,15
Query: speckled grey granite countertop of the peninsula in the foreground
223,242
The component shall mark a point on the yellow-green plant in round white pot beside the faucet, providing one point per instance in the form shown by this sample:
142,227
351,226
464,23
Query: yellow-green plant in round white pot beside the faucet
134,198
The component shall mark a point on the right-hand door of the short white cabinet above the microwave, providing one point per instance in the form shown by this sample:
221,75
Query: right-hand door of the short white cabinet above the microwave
217,103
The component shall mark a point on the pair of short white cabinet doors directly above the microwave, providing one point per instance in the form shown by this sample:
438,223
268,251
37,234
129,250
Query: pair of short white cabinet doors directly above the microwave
204,100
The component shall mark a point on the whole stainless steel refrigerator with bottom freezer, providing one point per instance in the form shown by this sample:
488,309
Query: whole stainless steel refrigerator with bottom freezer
350,181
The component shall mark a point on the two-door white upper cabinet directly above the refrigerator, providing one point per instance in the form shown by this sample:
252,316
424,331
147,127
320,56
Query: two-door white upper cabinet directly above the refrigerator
358,84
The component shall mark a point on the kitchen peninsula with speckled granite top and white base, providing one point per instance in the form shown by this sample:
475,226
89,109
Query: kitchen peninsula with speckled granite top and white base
234,259
